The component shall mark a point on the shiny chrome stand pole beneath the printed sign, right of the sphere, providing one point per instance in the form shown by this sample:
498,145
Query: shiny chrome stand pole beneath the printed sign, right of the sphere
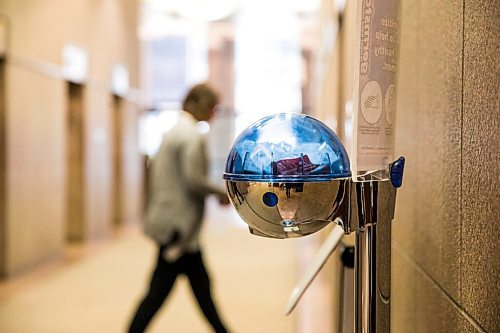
373,259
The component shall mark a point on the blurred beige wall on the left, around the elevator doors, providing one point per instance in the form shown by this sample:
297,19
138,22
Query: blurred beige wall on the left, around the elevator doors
36,115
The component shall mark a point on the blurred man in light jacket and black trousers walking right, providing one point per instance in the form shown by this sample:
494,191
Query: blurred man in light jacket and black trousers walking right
174,212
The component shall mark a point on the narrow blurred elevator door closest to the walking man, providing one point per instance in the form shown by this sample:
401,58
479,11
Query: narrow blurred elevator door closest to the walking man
117,159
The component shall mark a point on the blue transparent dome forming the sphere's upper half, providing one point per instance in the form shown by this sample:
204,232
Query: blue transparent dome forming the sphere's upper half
287,147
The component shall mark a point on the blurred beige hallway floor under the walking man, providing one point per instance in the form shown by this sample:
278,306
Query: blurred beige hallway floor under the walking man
96,287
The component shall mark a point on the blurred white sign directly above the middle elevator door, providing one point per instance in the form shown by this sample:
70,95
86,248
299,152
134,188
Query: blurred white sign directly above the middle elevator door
75,63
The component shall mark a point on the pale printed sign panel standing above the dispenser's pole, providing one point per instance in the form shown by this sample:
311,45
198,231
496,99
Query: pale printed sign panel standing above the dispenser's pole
375,88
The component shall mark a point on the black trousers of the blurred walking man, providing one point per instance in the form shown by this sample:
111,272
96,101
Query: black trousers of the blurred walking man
162,282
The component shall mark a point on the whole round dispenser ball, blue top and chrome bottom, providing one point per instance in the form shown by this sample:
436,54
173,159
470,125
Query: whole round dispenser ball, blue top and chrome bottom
286,175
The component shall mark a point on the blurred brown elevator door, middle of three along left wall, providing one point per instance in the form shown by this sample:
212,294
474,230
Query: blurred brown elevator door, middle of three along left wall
75,164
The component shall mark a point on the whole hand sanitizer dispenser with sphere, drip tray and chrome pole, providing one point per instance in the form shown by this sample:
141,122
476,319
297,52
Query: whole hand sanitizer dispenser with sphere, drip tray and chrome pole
288,175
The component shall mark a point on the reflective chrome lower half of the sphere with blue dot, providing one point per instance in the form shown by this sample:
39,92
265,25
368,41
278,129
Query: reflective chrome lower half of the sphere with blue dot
282,210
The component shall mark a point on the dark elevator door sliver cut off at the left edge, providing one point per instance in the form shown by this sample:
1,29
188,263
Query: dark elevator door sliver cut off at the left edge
3,169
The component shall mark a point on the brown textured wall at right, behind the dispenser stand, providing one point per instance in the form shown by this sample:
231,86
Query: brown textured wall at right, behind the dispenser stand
445,234
